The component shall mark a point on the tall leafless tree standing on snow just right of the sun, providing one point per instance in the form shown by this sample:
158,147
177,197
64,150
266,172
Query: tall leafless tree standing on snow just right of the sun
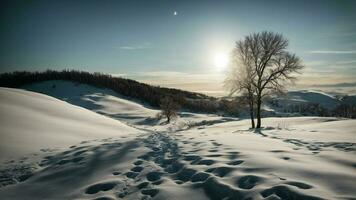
270,66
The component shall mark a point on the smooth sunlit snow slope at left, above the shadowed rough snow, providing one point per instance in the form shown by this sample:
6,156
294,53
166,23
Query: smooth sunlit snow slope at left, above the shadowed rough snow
30,122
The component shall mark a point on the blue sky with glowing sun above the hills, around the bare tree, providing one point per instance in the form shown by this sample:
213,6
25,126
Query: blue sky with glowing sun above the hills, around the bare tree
144,40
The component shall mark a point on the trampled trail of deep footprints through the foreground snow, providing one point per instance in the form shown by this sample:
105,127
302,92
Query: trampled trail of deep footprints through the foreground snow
166,160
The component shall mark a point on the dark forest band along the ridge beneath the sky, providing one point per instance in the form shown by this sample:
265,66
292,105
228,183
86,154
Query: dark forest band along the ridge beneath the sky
149,94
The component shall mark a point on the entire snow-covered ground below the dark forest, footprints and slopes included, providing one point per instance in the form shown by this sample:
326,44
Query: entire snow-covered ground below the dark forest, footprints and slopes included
102,146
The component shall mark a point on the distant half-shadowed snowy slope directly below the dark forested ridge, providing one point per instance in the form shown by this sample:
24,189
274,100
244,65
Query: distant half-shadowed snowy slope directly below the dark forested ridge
100,100
